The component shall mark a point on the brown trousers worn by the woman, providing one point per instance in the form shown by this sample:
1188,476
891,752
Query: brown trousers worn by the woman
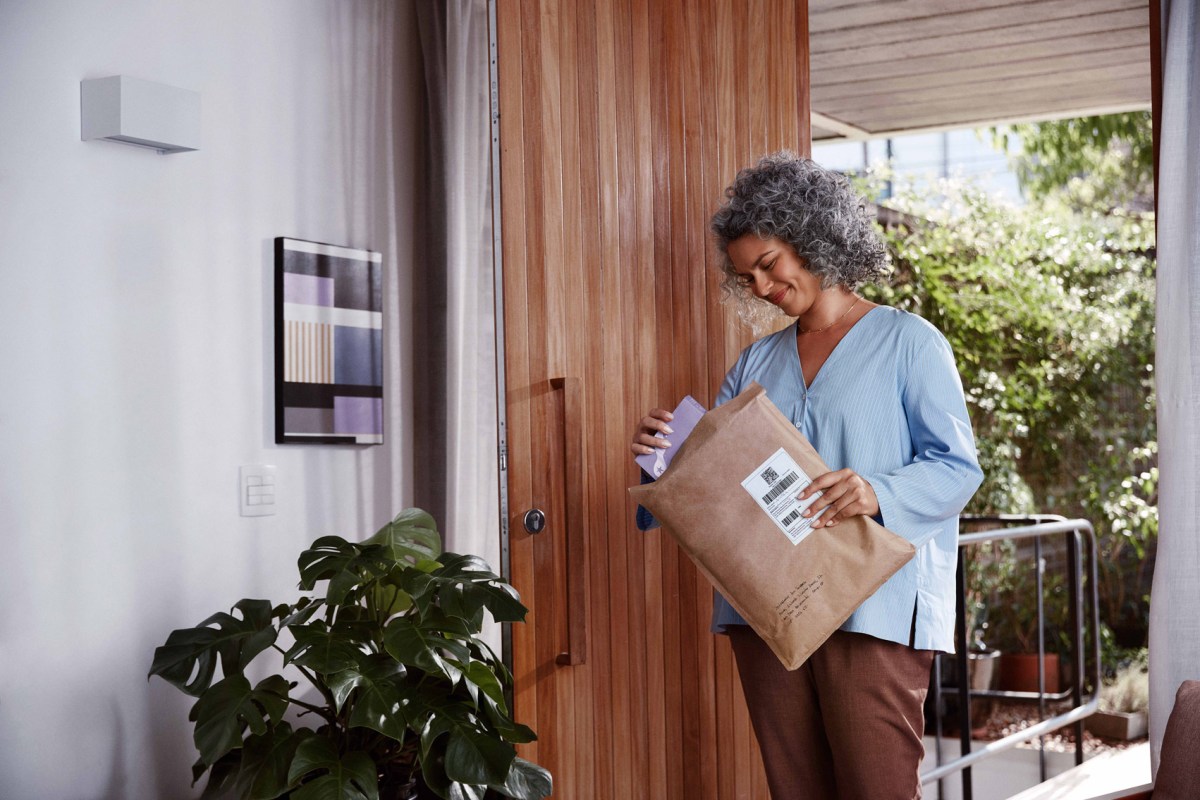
847,725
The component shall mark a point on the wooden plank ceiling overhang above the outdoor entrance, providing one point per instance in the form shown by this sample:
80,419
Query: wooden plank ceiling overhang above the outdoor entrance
891,68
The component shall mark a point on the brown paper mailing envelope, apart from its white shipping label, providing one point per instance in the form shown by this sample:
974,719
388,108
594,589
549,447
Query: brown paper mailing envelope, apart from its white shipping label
795,597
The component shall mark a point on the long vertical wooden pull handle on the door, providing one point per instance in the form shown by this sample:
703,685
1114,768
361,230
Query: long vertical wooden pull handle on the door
575,537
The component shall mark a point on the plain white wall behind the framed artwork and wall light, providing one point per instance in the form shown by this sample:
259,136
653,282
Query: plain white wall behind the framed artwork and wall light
136,351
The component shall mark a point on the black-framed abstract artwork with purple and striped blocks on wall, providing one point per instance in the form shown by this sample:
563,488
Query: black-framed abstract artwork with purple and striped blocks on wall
328,345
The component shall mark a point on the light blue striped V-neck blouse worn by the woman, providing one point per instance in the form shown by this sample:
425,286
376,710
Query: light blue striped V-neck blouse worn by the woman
889,405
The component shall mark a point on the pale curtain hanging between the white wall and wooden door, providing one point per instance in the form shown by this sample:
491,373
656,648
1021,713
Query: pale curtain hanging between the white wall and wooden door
454,318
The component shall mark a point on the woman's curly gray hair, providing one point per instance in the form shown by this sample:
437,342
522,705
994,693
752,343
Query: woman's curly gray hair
814,210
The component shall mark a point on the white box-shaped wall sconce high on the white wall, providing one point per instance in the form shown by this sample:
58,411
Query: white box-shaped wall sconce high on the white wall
141,113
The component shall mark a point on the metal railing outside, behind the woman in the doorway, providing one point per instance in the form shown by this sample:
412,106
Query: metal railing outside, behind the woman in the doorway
1079,537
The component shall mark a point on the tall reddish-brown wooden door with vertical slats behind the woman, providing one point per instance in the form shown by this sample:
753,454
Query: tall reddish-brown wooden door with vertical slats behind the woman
621,124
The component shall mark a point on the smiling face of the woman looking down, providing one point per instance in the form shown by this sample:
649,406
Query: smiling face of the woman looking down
771,269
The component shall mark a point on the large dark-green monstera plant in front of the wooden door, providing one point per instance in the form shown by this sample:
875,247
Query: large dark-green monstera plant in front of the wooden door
386,690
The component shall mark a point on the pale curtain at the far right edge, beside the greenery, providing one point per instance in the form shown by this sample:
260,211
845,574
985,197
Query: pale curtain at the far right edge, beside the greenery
1175,605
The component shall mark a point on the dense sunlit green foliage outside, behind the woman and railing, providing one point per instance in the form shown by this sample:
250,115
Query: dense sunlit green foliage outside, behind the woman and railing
1051,311
